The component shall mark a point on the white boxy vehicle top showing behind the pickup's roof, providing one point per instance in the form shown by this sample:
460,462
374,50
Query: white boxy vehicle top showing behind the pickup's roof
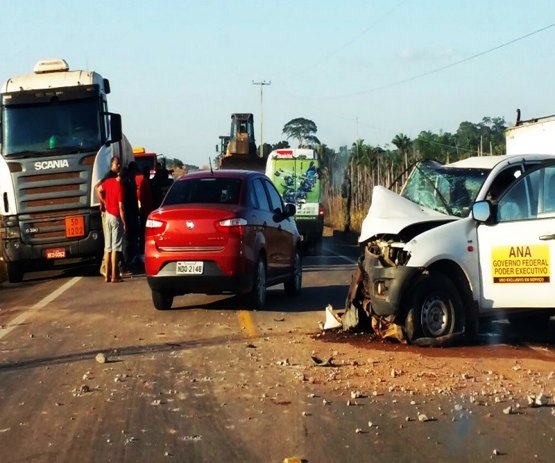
531,136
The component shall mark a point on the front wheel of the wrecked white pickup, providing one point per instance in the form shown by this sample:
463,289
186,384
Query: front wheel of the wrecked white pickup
435,308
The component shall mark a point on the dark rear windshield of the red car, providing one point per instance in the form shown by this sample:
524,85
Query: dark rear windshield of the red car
208,190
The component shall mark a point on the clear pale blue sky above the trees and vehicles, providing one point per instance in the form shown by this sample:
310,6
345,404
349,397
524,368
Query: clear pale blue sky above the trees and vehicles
360,69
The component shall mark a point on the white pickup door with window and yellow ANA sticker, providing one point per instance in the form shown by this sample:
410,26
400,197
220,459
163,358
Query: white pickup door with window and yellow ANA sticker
517,251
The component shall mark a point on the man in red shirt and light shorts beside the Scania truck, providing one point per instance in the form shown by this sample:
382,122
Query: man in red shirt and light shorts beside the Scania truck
110,195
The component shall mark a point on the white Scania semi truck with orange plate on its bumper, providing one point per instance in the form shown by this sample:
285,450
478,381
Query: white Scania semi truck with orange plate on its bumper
56,142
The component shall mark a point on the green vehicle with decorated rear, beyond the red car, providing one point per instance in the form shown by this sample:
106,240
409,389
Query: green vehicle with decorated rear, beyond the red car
296,174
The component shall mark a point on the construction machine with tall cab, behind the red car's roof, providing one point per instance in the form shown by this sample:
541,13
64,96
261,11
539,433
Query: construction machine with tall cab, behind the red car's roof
238,151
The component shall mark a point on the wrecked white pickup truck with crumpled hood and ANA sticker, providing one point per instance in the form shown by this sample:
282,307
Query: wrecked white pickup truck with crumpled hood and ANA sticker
462,241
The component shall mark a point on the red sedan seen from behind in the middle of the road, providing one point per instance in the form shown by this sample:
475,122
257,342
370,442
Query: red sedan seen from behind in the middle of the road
226,231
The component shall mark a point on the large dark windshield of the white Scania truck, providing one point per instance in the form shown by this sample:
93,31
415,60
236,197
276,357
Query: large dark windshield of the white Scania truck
46,128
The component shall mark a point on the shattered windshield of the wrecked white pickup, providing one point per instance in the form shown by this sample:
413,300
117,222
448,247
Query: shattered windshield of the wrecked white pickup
445,189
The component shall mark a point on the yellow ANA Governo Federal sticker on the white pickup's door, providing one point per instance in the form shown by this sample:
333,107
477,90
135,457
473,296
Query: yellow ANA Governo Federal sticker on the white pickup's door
520,264
